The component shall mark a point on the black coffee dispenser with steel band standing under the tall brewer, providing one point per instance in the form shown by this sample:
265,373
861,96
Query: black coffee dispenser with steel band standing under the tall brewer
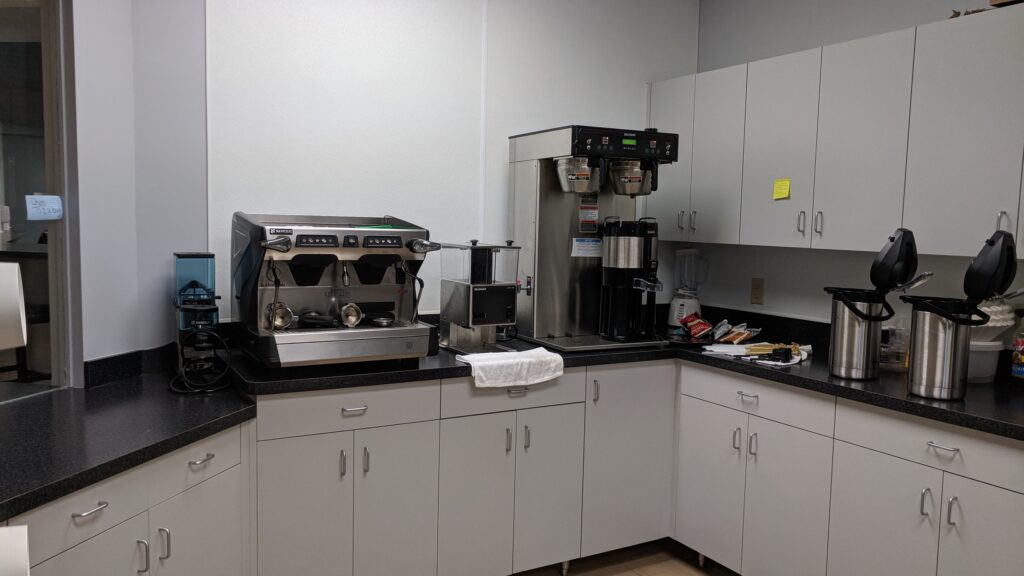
629,279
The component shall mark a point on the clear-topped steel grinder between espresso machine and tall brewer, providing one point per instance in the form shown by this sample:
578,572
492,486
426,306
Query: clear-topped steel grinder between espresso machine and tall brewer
479,295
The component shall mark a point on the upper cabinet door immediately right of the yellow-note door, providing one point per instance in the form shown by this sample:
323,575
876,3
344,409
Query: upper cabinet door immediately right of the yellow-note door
862,151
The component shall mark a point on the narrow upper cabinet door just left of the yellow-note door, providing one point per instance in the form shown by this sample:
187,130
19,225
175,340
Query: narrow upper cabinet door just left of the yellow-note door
716,186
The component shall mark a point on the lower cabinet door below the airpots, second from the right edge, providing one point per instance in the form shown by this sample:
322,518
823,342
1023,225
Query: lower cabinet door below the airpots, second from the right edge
885,515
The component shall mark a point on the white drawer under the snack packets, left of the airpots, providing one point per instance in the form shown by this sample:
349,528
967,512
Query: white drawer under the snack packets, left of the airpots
803,409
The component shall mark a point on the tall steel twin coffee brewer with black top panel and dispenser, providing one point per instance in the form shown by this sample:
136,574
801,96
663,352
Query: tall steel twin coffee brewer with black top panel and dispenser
579,270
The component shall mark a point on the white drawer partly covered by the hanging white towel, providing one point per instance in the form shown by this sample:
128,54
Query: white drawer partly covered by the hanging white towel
461,398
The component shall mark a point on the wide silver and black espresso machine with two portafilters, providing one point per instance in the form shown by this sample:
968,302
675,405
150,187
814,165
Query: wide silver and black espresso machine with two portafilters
326,291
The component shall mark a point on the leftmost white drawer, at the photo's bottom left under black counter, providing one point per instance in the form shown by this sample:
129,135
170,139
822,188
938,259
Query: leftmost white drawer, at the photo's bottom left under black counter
54,529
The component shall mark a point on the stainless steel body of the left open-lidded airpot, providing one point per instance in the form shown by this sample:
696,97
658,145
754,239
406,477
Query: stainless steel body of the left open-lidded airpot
856,342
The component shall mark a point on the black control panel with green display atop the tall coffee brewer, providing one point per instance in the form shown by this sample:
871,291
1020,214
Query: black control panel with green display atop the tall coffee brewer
642,145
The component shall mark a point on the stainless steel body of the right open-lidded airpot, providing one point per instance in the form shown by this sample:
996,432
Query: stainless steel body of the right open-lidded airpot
940,355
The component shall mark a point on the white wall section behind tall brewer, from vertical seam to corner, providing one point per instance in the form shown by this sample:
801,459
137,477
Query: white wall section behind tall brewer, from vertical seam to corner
574,62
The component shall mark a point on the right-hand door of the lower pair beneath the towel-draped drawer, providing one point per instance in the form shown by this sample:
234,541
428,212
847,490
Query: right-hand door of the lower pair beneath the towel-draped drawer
548,486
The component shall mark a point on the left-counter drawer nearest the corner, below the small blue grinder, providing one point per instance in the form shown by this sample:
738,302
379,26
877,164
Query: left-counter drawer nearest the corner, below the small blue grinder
188,467
